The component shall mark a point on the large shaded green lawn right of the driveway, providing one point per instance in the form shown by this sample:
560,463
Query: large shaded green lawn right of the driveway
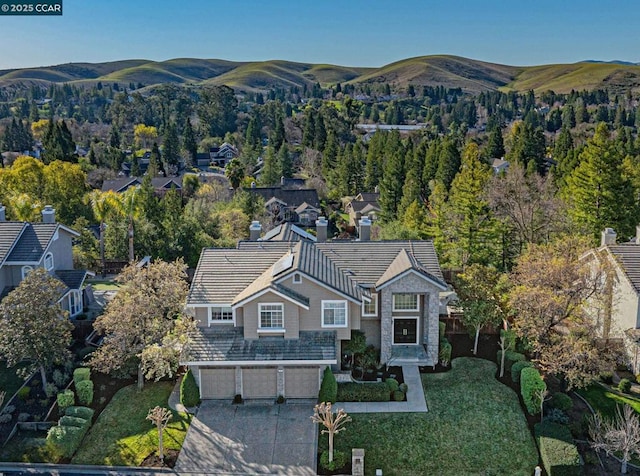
474,426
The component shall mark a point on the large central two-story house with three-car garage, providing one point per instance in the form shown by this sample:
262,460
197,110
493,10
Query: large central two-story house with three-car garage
271,315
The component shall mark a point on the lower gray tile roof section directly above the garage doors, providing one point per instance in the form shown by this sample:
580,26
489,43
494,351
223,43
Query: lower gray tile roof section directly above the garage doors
215,344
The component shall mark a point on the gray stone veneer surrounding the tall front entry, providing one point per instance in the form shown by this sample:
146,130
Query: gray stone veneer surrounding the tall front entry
429,313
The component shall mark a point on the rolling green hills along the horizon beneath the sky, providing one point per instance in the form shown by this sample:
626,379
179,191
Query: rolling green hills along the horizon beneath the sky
435,70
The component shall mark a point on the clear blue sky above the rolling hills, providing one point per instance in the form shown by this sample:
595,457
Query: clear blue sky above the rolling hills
347,32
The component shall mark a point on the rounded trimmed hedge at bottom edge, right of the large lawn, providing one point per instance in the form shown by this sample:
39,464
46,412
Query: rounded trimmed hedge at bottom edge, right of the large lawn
558,452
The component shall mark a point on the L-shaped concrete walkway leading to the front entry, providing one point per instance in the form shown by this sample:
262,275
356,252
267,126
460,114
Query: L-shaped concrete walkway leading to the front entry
415,398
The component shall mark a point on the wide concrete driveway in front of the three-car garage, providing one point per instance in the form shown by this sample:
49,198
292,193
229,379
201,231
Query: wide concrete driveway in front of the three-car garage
250,439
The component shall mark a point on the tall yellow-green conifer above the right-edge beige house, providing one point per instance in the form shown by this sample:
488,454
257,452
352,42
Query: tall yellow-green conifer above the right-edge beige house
599,193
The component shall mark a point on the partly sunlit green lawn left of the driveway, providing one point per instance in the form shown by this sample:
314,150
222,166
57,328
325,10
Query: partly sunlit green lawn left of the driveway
123,436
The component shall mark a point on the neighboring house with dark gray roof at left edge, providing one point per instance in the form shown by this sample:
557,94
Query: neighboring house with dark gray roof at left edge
25,246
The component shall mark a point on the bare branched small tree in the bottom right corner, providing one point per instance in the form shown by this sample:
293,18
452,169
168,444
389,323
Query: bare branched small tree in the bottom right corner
620,436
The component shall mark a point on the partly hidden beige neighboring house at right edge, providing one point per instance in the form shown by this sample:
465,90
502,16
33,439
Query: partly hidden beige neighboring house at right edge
617,316
